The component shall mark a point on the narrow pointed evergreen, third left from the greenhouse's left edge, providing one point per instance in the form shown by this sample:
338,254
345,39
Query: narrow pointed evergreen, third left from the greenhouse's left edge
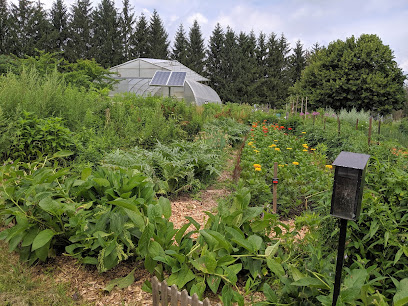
59,22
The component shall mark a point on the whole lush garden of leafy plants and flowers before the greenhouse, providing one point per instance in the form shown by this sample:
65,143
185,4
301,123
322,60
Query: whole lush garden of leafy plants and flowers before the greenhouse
91,177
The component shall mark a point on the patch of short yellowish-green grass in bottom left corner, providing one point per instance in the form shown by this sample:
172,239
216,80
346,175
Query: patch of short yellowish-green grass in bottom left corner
19,285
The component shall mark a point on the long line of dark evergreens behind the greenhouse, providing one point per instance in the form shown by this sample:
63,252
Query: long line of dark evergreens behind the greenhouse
241,67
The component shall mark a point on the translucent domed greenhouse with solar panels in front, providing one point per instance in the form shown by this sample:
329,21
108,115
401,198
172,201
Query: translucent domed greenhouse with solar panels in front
156,77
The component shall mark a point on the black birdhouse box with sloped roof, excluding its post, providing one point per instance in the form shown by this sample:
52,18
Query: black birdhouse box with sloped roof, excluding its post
348,185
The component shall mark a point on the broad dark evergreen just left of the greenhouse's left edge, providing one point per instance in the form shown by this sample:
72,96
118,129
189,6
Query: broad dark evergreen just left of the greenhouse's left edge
107,46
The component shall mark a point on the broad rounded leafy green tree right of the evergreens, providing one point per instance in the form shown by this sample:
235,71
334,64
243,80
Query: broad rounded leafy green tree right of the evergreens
359,73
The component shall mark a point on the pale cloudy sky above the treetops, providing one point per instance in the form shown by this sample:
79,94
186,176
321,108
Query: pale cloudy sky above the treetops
309,21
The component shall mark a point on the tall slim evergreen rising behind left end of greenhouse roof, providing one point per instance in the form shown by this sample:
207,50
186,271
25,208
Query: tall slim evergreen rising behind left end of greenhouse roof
127,22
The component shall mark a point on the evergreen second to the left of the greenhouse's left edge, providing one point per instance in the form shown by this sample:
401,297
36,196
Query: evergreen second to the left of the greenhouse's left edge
79,42
